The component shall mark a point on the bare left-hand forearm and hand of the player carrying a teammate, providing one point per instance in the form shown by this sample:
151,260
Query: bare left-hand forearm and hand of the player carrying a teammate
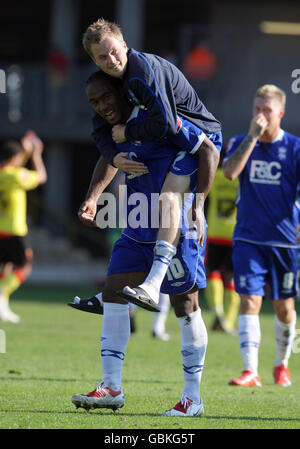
103,174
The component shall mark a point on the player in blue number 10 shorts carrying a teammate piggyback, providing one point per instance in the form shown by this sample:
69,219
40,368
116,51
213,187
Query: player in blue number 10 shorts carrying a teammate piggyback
133,252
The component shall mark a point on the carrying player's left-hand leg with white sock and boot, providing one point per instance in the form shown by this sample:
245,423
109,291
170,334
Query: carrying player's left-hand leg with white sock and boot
114,339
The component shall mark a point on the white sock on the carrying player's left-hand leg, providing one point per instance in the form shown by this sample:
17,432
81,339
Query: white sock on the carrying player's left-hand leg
115,336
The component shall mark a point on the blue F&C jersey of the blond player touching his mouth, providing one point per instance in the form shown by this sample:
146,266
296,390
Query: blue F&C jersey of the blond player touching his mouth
268,189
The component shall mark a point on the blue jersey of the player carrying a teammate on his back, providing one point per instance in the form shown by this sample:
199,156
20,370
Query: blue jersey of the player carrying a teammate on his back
142,211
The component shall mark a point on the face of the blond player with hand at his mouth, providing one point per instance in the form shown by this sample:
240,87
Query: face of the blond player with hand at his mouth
271,108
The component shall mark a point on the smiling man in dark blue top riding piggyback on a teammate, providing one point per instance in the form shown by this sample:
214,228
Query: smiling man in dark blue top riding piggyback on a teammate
159,87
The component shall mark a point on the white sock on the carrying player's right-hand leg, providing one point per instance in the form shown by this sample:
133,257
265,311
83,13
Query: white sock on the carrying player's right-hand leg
193,349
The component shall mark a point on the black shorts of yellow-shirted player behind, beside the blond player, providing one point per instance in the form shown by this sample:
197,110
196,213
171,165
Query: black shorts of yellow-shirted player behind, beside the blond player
219,257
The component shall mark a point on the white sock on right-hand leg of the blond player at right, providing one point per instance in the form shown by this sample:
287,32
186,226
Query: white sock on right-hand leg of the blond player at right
284,335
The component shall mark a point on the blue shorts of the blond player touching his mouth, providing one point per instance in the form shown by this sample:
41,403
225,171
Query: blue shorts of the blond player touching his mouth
256,265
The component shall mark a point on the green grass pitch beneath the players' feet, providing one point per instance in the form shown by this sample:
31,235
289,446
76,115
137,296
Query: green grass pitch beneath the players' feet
54,352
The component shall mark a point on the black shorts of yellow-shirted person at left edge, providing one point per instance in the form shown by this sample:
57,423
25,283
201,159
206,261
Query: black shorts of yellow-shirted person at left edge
15,250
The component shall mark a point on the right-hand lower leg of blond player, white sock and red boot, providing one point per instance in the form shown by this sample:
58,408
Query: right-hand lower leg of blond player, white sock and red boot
284,329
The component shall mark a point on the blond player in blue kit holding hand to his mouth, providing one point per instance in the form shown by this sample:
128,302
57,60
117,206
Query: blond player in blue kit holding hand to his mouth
267,163
